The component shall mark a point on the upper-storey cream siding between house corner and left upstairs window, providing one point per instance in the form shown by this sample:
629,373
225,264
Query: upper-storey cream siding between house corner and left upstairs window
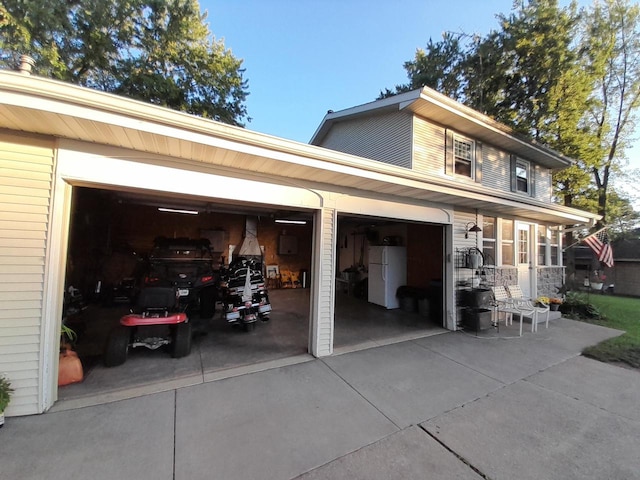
428,147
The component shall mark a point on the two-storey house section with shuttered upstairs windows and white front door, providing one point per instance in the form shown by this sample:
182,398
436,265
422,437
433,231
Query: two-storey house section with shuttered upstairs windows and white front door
503,181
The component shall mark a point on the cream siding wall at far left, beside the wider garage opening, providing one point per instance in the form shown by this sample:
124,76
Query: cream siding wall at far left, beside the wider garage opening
26,170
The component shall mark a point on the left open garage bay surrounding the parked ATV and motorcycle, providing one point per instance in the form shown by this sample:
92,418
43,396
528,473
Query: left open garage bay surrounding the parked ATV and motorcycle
112,234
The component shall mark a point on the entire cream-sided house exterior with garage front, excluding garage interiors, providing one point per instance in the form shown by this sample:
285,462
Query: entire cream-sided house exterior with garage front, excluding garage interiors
419,158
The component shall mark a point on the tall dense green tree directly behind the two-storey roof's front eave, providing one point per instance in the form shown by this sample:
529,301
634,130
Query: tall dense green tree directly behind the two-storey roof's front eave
536,60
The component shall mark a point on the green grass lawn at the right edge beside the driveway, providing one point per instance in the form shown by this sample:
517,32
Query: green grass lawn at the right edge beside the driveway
623,314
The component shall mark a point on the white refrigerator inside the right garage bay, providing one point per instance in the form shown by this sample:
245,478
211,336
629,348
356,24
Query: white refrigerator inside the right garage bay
387,271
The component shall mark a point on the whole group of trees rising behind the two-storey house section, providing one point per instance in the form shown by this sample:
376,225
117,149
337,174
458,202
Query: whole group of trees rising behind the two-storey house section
567,77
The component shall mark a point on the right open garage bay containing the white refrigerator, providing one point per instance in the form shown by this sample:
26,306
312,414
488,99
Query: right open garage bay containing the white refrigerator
389,281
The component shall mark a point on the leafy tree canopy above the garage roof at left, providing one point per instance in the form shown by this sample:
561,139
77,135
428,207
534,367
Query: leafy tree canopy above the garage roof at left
160,51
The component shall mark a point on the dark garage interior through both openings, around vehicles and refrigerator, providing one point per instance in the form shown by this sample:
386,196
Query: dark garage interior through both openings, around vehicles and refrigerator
112,231
